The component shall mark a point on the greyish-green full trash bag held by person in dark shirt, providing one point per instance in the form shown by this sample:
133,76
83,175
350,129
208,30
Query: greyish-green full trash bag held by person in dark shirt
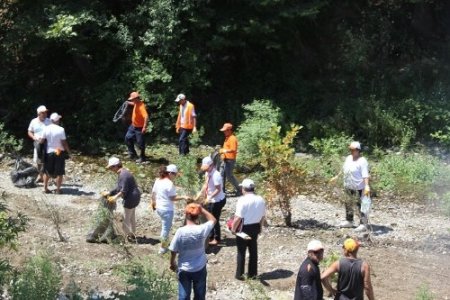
103,229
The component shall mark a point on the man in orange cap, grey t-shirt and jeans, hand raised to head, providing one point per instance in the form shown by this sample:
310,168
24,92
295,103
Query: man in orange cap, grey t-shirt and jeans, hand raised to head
189,244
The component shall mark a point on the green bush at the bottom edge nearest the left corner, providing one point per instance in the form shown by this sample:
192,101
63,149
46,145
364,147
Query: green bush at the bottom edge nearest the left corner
40,279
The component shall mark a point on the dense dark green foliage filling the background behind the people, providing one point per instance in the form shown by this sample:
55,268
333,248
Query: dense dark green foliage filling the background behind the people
378,70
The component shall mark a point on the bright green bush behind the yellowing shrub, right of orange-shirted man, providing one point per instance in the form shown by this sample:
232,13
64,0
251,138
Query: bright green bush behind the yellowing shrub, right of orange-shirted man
260,117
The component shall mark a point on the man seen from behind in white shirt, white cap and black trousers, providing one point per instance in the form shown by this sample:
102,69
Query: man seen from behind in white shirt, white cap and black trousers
249,216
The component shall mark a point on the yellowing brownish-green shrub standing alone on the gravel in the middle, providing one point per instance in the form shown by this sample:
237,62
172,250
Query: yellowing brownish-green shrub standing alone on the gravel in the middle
282,177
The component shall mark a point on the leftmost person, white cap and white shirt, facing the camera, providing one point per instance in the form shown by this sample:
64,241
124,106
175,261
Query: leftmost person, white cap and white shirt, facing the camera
35,132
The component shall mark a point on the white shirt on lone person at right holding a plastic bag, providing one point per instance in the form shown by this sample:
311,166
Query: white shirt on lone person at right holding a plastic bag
354,173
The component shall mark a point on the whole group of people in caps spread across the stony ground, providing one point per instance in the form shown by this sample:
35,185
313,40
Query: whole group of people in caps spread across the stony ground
203,213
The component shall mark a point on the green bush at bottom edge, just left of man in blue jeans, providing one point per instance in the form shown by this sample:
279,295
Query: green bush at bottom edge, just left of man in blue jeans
147,282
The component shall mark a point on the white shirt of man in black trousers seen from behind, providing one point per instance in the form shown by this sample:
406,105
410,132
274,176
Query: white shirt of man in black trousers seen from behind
251,208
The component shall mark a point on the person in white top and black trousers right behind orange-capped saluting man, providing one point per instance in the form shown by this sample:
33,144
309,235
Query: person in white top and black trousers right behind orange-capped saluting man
215,197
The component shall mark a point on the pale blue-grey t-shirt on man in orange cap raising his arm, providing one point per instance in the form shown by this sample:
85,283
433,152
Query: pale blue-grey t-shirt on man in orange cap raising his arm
189,243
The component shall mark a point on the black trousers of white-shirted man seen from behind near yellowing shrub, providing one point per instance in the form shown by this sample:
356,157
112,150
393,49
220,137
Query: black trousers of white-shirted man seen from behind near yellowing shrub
252,230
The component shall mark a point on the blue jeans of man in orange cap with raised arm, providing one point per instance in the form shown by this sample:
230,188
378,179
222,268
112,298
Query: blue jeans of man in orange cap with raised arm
187,279
